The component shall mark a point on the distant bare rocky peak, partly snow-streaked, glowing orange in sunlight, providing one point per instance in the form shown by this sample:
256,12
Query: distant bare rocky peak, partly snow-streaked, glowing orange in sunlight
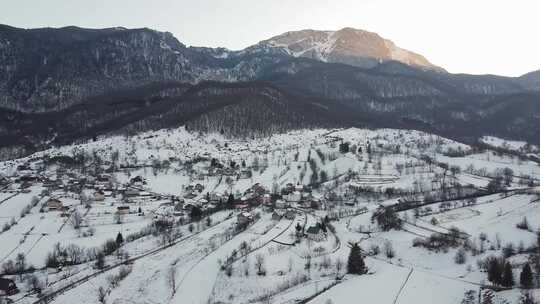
350,46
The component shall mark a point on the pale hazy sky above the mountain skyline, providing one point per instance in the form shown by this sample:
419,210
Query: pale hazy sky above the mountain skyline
464,36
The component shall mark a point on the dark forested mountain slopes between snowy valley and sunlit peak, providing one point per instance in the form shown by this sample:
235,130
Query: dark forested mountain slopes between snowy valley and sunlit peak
64,86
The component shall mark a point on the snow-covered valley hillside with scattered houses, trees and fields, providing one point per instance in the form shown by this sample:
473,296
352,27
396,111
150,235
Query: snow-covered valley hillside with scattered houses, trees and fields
308,216
